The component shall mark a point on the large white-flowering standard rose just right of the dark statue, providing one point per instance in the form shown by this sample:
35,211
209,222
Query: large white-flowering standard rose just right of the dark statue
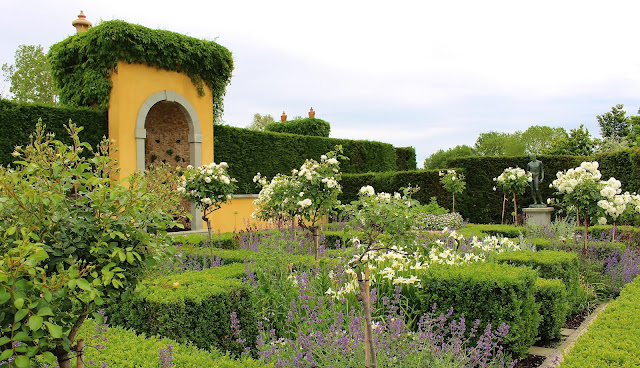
594,200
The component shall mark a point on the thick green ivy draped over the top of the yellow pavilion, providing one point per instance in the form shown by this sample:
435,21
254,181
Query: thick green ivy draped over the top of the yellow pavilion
83,63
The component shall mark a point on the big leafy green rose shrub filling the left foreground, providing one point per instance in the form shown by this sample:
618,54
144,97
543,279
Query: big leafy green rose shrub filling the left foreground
72,239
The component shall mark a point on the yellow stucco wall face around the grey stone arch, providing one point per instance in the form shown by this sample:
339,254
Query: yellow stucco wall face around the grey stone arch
132,85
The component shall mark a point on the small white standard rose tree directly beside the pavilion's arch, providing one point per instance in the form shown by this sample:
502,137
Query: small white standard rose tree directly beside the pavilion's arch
208,187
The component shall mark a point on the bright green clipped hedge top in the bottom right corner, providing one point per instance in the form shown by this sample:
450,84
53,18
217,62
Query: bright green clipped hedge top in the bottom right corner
613,340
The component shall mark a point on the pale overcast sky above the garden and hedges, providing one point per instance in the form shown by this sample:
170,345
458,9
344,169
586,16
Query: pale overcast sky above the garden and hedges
427,74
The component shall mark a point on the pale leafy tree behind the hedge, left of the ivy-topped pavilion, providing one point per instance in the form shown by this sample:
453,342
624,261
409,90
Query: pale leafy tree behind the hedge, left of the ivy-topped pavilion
30,76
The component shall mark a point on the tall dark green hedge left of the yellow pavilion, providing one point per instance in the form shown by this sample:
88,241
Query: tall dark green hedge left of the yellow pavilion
18,121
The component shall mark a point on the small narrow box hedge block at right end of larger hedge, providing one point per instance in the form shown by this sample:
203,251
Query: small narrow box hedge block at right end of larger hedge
551,295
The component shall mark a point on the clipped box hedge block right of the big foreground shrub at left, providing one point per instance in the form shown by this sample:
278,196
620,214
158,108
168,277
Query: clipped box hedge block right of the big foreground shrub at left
193,306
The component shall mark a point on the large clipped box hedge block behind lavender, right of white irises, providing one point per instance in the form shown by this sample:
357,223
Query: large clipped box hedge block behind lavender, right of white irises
493,293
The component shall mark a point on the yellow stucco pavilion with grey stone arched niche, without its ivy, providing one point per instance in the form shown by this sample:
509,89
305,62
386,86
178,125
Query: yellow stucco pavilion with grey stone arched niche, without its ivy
157,115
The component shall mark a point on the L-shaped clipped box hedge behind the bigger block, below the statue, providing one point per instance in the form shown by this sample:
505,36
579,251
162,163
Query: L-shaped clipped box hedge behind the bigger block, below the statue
550,264
